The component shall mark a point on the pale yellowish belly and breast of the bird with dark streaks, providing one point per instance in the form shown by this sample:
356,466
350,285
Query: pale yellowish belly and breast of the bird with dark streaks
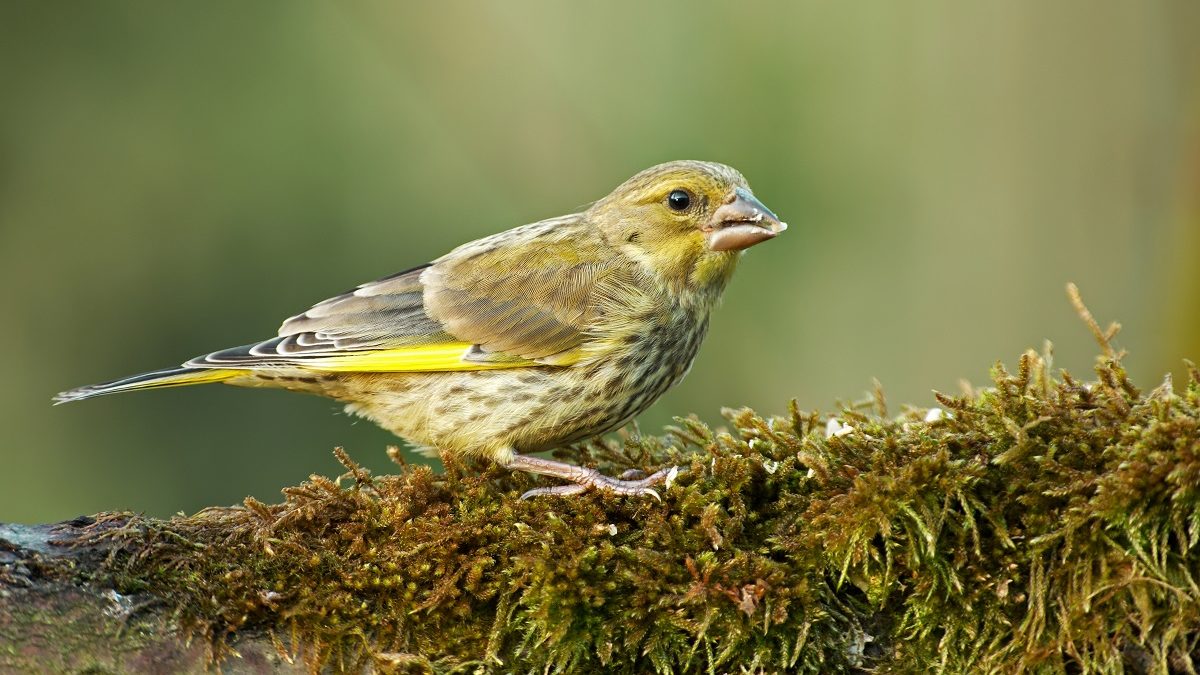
497,413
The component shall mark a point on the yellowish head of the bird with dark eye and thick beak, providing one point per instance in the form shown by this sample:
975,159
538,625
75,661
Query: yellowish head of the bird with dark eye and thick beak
687,222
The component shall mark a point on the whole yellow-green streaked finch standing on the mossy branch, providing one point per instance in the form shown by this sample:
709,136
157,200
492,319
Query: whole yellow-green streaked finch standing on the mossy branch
523,342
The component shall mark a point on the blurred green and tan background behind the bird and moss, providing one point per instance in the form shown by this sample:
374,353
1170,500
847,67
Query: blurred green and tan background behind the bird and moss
179,177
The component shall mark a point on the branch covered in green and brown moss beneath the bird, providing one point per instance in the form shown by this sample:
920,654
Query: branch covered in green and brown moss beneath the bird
1041,524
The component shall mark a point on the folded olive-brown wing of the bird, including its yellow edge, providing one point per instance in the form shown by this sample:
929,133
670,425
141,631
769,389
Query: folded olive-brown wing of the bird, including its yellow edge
519,298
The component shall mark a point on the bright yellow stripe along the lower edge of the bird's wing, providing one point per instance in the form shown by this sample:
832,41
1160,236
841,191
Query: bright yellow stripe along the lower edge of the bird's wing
425,359
